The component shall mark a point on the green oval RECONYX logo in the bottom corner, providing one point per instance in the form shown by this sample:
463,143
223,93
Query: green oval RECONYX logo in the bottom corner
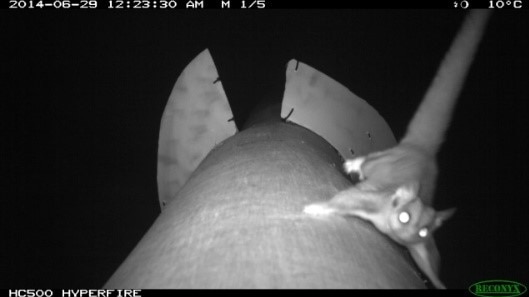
497,288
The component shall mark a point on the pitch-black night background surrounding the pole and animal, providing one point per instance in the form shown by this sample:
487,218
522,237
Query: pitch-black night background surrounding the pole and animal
83,94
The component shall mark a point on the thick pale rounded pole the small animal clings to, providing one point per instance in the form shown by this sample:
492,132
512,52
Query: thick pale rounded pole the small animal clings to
238,223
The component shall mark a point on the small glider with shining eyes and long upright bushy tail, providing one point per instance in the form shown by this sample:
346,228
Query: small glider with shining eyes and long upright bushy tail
396,186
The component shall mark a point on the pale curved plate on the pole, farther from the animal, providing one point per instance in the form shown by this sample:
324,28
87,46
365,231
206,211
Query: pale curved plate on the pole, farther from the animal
195,119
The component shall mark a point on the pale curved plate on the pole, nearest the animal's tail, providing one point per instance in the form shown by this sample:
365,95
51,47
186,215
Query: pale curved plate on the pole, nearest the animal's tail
329,109
